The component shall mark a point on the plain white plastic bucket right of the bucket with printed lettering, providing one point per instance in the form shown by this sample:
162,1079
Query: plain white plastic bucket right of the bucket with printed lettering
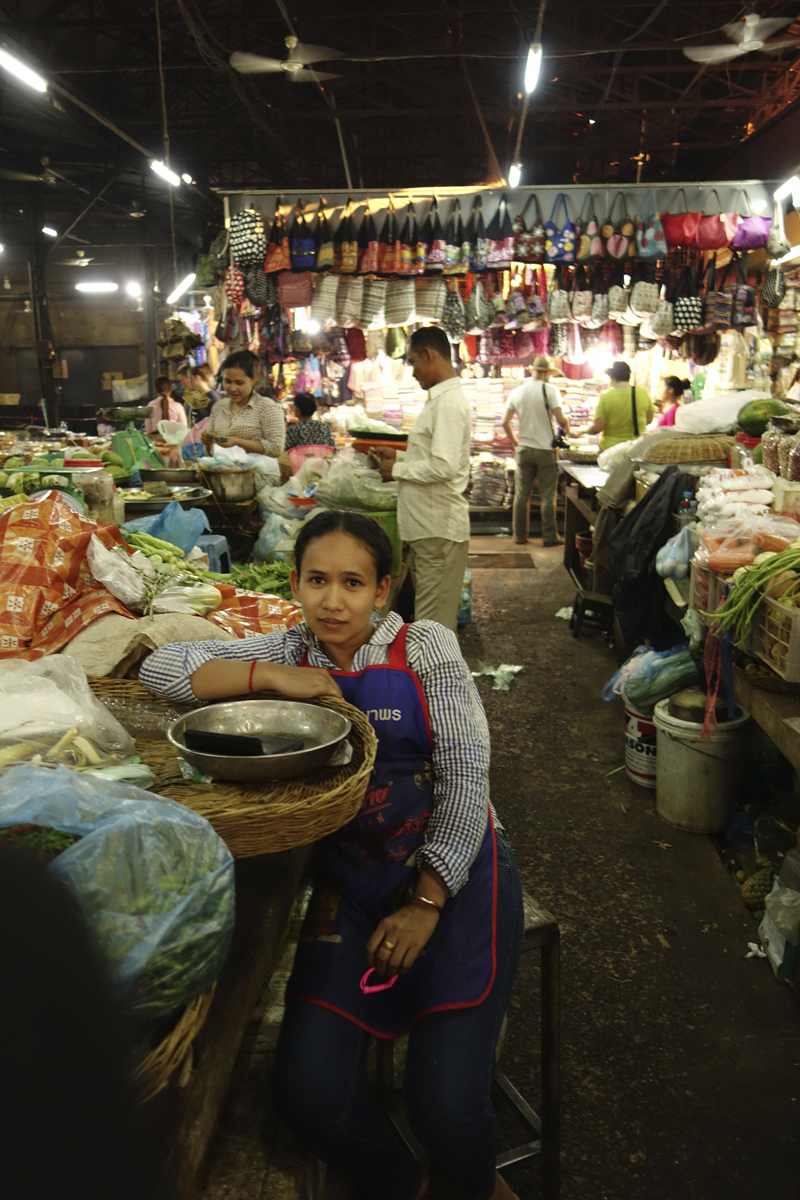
699,782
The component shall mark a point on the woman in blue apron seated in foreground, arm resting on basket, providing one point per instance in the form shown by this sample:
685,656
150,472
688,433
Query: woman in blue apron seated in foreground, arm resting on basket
419,892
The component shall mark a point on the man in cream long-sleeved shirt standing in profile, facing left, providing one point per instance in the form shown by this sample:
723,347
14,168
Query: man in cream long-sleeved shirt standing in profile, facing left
432,476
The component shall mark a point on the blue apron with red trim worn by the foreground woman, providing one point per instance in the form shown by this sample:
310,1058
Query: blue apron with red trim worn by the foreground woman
369,871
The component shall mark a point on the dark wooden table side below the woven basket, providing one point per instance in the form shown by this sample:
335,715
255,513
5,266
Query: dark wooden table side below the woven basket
179,1125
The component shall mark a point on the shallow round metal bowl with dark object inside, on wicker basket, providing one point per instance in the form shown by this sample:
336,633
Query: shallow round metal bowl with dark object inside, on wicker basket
322,730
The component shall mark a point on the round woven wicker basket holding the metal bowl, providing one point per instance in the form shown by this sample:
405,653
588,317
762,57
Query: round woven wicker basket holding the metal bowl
275,815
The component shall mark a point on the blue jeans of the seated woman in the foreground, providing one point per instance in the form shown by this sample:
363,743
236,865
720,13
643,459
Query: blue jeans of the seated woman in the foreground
321,1082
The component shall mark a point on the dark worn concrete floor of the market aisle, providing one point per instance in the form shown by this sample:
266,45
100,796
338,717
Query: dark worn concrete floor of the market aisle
681,1058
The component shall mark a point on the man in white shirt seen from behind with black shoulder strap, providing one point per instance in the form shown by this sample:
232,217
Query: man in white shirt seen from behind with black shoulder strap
537,403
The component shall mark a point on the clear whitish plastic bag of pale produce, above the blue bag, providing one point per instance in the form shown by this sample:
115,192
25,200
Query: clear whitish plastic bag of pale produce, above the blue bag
47,709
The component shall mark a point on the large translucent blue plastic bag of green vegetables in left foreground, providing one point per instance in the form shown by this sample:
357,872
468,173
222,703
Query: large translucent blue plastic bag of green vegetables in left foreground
154,881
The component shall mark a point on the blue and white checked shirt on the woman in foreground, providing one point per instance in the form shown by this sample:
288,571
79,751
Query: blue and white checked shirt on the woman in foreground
461,734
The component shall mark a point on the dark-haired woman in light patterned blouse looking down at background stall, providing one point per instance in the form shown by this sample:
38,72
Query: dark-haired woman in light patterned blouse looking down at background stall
243,418
